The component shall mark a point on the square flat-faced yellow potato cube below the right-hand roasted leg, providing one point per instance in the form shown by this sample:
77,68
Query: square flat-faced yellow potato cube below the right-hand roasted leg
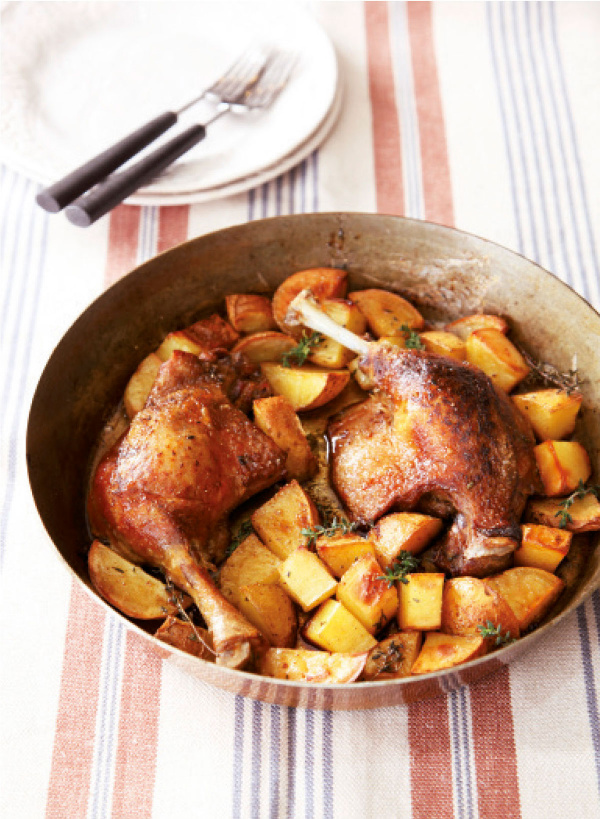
420,601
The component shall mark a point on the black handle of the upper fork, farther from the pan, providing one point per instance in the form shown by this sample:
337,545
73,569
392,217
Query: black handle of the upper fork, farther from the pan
63,192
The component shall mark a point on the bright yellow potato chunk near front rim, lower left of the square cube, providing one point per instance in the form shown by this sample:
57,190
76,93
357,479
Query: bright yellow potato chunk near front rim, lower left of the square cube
334,628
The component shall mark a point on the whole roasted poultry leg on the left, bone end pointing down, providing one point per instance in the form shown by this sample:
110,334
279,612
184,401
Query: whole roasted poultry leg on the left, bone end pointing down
165,489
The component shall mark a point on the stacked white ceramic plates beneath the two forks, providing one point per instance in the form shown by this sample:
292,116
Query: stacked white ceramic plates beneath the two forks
77,76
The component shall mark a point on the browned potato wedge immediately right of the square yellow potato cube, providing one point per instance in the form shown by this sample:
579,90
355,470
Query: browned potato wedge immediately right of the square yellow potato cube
469,603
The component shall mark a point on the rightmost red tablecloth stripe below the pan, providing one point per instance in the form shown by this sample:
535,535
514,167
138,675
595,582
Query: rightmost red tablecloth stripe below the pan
494,748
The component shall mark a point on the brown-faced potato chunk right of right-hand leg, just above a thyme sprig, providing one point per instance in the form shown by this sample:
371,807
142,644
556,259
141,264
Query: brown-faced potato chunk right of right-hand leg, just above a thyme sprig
562,465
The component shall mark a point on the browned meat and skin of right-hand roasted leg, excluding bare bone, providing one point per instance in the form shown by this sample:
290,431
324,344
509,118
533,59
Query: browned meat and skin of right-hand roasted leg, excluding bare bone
438,437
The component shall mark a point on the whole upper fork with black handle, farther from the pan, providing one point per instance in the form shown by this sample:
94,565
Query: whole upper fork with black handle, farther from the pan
230,86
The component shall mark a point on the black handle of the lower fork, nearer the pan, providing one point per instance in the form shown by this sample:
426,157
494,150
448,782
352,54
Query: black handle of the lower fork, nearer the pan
108,194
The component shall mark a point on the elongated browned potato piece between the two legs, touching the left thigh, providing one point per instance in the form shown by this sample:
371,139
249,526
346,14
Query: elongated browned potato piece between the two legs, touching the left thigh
276,417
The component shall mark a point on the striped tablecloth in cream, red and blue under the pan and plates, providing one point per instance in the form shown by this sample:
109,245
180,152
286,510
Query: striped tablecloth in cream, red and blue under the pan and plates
484,116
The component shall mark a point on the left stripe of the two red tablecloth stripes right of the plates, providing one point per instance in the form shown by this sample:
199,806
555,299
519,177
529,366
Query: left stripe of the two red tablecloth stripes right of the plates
386,126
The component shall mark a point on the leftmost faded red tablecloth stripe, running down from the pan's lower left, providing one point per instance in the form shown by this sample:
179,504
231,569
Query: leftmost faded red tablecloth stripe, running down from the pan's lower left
72,757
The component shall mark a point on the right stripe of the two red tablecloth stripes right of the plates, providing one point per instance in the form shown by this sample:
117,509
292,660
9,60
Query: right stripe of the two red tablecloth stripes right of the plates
437,187
